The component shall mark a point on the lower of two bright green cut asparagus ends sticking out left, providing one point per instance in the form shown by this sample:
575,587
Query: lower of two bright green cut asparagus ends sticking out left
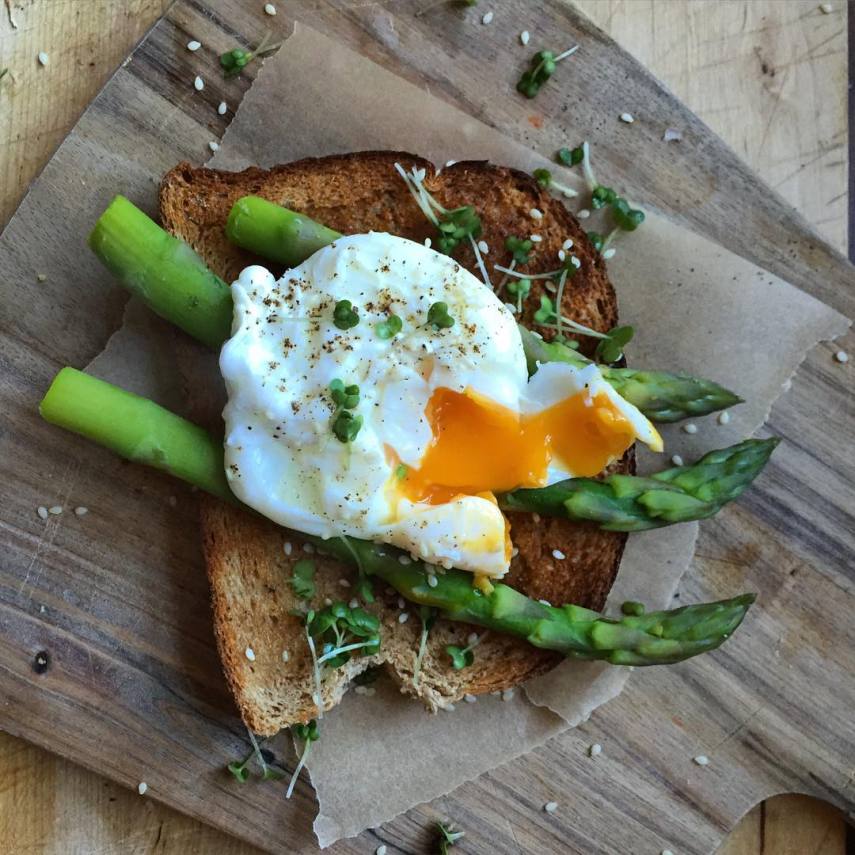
137,429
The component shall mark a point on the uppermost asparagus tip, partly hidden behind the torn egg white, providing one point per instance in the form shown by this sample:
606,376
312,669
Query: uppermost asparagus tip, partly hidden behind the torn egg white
661,396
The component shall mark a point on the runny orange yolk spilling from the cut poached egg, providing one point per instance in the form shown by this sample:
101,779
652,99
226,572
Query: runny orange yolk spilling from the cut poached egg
481,447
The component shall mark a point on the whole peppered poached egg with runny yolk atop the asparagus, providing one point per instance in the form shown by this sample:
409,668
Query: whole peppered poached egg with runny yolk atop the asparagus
449,415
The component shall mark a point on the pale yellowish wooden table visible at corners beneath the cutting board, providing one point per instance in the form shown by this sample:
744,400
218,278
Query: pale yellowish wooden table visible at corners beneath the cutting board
742,65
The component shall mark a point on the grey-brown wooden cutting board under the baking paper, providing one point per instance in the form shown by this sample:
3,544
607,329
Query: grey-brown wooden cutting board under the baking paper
134,690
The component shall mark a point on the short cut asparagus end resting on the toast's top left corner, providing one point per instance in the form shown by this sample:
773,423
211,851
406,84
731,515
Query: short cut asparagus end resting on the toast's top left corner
275,232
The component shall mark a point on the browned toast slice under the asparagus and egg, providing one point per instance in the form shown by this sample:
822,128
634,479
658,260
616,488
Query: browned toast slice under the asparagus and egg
261,642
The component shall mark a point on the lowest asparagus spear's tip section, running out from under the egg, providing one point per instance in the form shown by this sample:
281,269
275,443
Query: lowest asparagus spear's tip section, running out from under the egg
656,638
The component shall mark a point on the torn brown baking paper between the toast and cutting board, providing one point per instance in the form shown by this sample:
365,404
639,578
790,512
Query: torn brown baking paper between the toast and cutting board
696,308
